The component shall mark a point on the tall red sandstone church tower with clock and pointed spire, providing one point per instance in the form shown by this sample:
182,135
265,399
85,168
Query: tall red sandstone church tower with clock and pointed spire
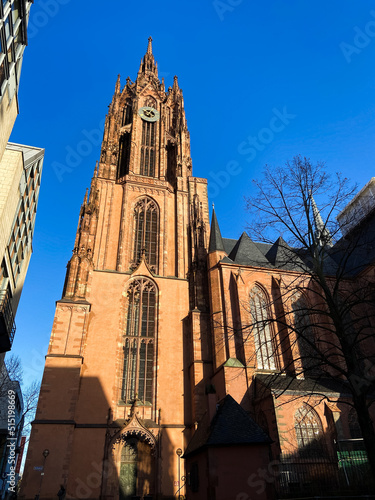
124,377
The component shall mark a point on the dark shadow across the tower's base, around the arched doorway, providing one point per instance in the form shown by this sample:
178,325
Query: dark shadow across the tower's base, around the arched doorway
91,455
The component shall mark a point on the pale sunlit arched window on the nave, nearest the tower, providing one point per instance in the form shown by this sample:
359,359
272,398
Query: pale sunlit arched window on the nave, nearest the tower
262,330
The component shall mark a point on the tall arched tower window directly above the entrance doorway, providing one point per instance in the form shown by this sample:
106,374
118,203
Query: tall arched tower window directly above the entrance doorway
139,342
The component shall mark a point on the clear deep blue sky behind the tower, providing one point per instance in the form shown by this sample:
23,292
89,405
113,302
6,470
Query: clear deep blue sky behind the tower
262,82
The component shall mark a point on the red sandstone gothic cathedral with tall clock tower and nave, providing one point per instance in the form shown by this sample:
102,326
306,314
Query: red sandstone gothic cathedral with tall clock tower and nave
148,390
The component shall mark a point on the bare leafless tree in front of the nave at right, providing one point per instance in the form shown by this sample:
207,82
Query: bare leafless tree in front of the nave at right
327,331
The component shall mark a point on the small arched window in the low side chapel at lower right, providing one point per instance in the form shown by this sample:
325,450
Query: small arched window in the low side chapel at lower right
309,430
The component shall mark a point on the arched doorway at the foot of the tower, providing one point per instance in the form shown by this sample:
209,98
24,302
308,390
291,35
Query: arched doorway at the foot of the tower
136,469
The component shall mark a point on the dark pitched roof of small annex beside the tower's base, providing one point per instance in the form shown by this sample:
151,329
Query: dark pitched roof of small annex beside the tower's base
230,426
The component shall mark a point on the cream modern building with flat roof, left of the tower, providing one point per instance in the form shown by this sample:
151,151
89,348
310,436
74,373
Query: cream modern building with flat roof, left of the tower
21,170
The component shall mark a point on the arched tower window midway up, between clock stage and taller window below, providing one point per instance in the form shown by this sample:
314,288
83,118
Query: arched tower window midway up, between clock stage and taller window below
146,231
